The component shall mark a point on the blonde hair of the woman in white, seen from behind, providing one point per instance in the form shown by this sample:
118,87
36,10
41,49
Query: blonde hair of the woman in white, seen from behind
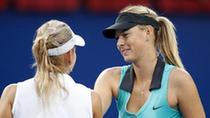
51,34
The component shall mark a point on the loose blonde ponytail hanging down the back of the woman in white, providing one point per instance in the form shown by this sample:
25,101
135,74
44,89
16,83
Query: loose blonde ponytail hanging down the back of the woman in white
45,82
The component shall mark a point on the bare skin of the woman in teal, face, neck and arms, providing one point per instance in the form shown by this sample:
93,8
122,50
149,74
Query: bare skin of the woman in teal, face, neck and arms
137,47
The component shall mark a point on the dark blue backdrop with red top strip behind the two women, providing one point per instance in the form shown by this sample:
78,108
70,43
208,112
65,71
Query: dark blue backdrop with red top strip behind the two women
18,25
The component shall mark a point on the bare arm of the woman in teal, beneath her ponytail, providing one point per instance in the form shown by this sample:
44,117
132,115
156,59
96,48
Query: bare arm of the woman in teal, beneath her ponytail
187,96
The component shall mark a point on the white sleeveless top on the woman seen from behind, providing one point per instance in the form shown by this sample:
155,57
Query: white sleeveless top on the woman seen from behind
76,104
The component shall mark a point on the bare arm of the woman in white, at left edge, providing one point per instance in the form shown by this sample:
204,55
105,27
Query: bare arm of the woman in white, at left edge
6,101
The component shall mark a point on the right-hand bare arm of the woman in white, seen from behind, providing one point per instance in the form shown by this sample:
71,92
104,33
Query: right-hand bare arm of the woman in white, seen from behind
96,105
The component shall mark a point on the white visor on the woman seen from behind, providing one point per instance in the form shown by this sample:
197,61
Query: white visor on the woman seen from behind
76,40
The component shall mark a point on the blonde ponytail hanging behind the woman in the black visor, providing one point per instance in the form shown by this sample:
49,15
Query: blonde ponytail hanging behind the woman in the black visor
167,43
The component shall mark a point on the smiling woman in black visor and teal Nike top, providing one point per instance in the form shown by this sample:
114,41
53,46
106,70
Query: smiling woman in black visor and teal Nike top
155,84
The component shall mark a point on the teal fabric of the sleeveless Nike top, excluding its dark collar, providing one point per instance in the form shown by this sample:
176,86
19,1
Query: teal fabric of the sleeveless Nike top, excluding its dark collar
157,98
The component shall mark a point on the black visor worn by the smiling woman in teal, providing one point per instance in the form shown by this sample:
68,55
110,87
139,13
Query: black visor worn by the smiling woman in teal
128,20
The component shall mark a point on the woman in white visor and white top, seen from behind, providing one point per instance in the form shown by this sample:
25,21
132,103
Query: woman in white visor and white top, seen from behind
51,93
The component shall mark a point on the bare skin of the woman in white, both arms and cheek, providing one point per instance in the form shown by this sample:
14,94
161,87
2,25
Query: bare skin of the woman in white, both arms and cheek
8,95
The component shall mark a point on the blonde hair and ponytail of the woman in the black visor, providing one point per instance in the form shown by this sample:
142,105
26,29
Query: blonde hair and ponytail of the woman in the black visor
165,40
